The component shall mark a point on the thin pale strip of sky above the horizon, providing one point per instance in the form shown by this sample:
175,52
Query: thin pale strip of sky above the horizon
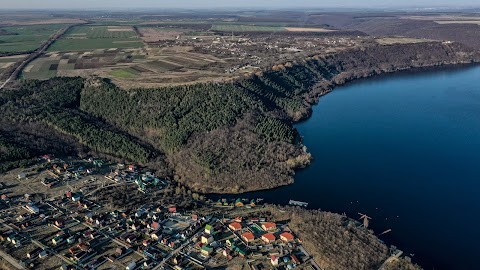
167,4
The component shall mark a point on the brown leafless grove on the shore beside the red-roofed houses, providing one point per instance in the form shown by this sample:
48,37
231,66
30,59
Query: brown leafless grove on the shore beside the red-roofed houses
334,241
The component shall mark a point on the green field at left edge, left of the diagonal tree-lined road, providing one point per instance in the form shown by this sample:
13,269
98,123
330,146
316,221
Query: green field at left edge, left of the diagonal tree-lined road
25,38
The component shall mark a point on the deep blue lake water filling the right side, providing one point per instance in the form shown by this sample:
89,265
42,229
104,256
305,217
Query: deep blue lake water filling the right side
405,150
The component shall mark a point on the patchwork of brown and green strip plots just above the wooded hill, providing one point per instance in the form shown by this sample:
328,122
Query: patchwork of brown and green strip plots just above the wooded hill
139,66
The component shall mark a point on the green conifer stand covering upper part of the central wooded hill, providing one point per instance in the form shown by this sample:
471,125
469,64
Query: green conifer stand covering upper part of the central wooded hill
169,116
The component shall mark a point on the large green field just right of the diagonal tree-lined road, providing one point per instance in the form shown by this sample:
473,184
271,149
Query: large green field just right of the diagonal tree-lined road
83,38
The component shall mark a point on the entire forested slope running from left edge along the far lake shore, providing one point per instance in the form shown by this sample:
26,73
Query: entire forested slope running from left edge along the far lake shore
216,137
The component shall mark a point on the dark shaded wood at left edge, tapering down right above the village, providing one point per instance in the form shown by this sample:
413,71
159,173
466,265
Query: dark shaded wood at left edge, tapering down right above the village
56,103
